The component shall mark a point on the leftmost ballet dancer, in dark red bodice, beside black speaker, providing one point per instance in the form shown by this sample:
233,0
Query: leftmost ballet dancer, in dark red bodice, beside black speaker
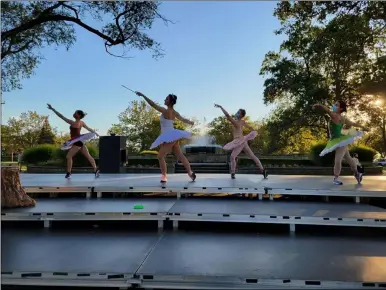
75,127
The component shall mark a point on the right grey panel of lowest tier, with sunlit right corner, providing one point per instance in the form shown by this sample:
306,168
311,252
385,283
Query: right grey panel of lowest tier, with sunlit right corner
267,257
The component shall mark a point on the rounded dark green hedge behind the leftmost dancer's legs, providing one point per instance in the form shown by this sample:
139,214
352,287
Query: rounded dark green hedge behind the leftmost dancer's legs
54,156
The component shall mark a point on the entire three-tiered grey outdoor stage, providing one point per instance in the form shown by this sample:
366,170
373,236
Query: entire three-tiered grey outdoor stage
178,259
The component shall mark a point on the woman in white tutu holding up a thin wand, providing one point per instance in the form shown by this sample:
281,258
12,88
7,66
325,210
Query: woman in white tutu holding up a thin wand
169,138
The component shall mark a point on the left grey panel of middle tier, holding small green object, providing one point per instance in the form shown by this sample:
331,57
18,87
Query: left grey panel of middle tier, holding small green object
153,205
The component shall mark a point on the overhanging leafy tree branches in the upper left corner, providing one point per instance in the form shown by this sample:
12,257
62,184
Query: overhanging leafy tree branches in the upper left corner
27,26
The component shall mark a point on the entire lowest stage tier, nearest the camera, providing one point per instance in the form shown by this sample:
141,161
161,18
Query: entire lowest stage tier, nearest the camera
194,258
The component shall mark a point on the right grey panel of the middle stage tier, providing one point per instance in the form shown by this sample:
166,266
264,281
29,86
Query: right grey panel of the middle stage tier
278,208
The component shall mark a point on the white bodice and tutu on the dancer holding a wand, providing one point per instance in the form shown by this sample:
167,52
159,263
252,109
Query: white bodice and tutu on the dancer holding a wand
169,134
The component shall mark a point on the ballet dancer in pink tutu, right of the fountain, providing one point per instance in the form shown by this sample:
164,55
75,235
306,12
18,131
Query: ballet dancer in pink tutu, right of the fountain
240,142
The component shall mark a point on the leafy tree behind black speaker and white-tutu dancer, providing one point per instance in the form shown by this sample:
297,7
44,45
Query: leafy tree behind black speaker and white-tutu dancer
140,123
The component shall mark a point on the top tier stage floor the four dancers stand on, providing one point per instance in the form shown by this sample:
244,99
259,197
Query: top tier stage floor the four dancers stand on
121,182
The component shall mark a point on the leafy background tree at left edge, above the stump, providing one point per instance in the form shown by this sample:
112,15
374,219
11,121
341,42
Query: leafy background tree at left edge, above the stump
22,132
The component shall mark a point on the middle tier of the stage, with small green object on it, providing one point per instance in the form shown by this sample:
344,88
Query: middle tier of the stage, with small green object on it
202,210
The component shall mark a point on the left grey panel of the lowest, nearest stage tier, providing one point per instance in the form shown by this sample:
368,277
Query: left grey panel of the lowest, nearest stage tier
74,252
